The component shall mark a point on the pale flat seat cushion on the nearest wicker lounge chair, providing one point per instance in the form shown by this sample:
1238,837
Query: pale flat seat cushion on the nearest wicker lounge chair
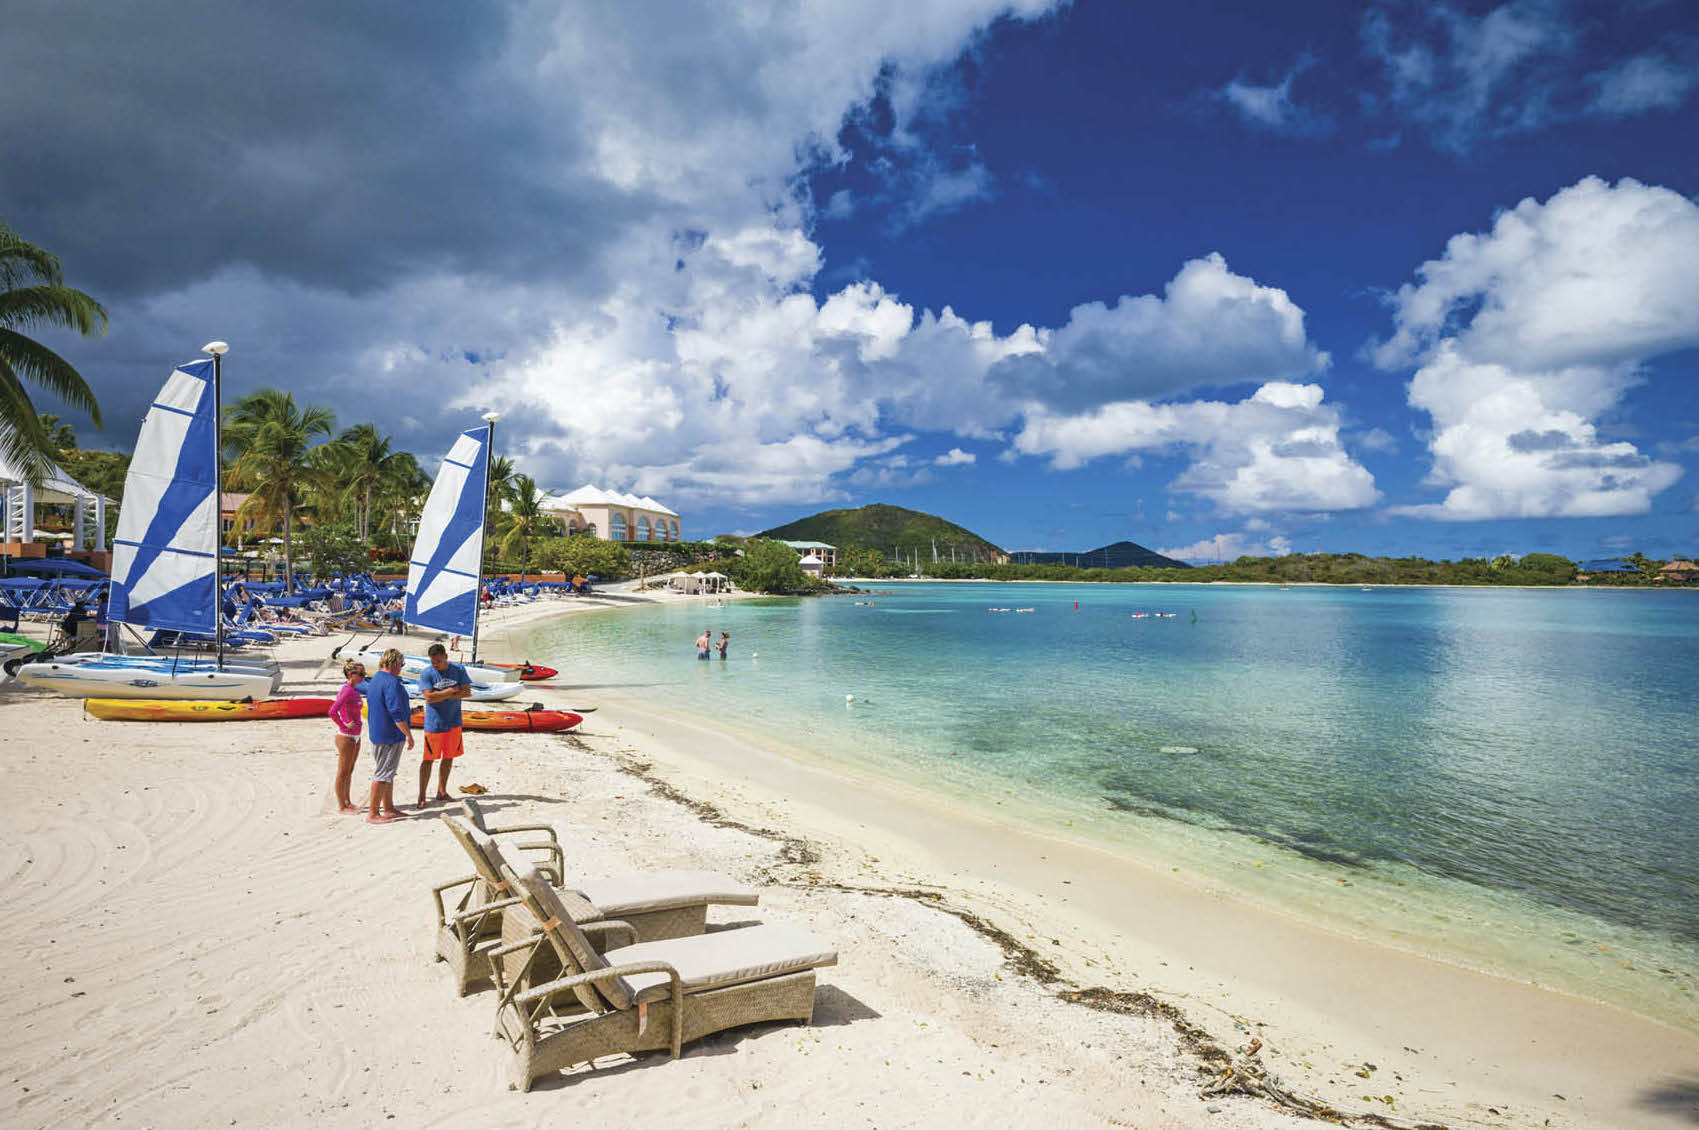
723,959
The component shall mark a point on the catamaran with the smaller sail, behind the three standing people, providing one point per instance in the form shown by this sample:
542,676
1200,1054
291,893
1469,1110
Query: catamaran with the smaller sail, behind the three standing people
448,555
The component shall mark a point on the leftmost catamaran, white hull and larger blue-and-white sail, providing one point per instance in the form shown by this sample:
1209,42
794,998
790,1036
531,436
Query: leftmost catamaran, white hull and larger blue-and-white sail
166,558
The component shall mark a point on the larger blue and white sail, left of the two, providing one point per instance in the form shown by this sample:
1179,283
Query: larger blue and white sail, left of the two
166,551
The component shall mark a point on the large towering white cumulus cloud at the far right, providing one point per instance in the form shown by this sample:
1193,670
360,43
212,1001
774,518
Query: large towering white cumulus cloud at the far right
1527,336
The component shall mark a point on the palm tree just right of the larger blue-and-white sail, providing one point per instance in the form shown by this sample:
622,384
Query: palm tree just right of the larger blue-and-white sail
271,441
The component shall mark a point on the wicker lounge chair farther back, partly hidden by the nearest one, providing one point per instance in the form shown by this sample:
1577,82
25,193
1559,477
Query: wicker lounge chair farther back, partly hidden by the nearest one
652,905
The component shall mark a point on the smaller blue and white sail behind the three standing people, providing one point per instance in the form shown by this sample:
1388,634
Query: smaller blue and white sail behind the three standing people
444,570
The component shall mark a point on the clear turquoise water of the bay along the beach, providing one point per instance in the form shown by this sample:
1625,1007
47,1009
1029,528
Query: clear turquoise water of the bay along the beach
1508,777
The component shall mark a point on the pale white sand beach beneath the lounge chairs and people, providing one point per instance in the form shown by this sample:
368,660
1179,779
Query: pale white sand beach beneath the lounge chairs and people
198,939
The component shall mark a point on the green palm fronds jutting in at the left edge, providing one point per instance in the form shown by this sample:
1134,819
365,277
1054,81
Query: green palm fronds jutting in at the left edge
33,295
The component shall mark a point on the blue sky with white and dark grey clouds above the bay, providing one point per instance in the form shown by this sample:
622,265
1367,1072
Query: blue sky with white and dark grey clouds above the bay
1408,280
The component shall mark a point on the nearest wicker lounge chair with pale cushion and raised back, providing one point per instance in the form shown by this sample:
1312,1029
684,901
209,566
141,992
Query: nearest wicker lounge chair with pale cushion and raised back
645,997
